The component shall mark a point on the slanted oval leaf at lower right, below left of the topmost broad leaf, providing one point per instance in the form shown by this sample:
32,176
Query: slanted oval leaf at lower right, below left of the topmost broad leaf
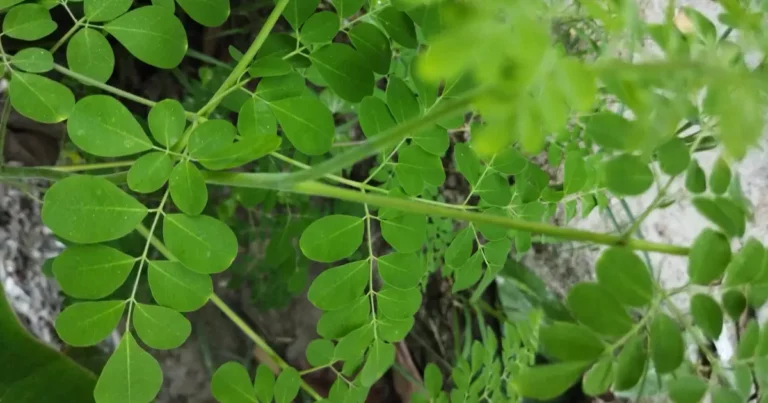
592,305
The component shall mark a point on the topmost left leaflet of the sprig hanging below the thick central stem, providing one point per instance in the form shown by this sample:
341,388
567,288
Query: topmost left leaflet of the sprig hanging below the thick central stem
332,238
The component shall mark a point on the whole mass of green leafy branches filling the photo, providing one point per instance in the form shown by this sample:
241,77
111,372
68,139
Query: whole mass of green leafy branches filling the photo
410,73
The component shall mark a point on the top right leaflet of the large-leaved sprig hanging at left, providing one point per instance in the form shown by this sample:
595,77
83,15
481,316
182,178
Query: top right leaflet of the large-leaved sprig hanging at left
203,244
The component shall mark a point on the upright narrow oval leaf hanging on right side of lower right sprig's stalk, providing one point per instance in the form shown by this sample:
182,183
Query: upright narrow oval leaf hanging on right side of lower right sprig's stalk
667,345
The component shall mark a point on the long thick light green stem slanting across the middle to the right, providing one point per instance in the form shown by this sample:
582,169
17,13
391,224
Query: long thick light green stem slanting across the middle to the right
319,189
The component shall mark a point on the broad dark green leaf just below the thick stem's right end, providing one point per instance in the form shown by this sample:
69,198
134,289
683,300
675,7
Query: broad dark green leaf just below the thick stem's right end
620,271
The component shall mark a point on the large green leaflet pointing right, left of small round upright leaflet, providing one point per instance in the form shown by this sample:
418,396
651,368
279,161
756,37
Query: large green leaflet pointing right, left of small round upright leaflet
103,126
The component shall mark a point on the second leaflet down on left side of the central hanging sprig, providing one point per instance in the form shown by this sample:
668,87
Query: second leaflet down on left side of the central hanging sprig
339,286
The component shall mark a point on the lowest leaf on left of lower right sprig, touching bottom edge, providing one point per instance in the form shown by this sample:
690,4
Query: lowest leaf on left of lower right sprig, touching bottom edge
545,382
